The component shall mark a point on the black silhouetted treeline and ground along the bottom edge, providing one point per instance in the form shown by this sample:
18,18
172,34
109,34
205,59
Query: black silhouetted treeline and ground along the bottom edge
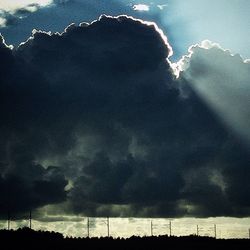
29,239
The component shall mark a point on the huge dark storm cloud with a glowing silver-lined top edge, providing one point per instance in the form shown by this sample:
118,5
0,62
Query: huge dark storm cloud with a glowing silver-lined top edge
101,102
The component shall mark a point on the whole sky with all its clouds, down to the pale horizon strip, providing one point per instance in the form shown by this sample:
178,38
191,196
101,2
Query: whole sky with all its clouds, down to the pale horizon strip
124,109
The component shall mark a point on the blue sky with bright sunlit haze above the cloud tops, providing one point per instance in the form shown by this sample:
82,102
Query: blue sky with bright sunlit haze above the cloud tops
185,22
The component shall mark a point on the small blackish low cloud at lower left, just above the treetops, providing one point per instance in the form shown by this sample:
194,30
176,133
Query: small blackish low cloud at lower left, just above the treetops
35,187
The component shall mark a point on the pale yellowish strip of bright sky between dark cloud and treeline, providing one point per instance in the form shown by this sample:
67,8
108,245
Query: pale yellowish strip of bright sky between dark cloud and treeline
76,226
